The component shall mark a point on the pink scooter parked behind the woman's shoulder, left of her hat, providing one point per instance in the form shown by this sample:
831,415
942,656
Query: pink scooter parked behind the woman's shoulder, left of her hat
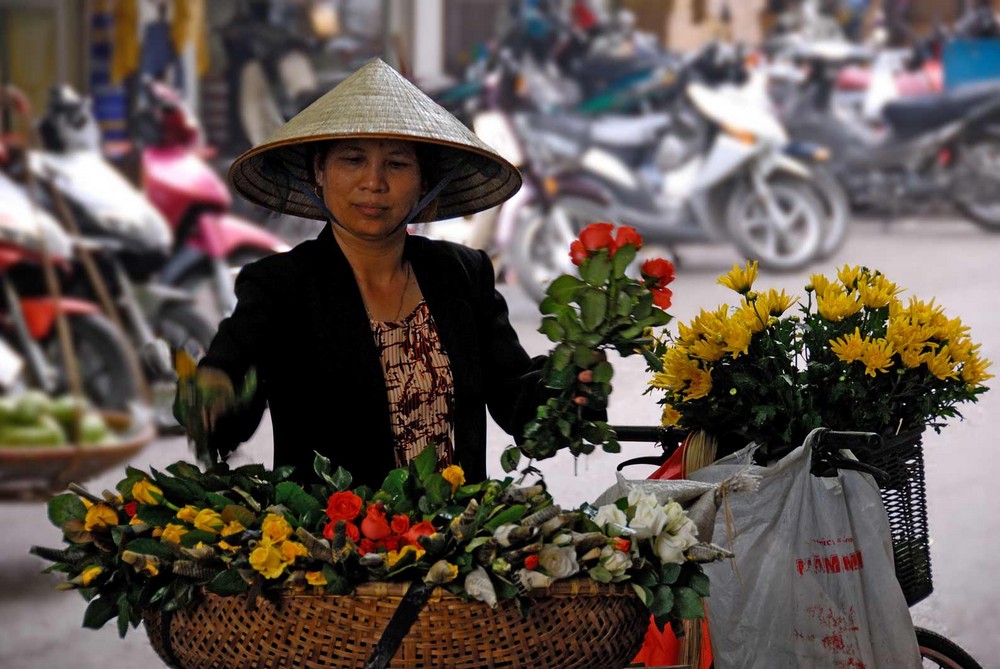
211,243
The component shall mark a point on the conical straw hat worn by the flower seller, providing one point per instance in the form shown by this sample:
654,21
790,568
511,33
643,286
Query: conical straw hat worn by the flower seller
376,101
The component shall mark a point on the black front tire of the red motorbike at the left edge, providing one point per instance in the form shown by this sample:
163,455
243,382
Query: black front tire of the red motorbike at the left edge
106,371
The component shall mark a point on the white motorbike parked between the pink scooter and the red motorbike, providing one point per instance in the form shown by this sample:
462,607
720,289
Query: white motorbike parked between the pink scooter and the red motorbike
128,240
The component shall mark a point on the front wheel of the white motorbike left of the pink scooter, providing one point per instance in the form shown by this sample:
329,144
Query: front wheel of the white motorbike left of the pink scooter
182,328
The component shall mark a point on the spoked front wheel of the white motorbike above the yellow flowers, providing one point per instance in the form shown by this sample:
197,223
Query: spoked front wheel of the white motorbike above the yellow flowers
778,246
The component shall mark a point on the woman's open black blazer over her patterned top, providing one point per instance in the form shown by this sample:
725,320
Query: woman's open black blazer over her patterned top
301,322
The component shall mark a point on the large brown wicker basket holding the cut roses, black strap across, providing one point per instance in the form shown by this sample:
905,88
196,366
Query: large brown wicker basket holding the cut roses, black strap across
576,623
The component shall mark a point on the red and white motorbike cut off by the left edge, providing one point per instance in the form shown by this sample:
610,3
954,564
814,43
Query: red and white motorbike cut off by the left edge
30,352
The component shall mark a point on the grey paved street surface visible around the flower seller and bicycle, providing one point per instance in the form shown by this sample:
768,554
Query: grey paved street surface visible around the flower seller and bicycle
948,259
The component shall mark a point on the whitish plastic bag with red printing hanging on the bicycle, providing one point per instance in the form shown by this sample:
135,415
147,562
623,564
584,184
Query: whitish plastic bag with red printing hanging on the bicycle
813,583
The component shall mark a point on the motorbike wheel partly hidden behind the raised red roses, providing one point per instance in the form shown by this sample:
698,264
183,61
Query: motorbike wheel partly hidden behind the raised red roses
540,244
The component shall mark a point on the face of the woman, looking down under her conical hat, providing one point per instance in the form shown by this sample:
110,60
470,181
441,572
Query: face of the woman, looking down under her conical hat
370,185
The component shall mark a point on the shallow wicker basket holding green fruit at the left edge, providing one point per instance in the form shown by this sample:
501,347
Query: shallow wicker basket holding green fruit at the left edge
34,473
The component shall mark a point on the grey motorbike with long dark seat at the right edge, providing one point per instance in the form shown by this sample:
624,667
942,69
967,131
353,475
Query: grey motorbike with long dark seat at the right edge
943,147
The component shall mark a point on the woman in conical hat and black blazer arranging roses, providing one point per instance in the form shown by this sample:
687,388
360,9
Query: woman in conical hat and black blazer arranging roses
369,343
